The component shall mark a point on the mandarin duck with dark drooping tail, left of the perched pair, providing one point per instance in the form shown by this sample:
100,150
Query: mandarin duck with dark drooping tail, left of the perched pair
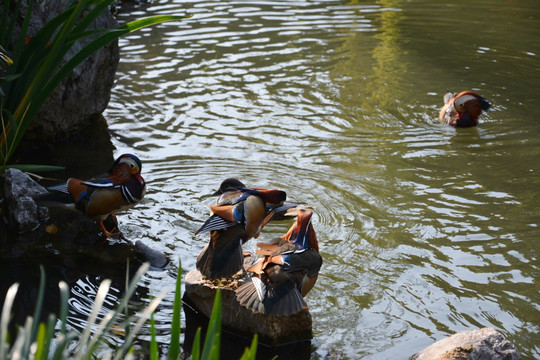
238,215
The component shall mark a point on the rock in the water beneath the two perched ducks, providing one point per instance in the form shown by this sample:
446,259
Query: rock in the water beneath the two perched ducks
272,330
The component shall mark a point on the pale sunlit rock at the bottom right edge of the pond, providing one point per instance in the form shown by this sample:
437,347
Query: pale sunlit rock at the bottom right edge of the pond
481,344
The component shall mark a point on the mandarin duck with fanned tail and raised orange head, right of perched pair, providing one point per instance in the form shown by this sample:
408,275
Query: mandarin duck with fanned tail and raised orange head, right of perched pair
285,274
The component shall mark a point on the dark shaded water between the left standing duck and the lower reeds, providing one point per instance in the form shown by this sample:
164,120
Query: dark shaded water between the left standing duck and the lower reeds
76,255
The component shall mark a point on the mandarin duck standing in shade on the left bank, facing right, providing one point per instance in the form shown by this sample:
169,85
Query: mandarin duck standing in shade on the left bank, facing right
120,189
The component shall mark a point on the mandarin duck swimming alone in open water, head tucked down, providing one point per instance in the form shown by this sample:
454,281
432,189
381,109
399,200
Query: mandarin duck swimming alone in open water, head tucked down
463,109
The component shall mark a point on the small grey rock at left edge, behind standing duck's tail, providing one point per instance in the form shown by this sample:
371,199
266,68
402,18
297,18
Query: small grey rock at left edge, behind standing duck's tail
19,193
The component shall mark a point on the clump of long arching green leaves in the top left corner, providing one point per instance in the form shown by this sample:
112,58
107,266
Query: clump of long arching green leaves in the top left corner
35,70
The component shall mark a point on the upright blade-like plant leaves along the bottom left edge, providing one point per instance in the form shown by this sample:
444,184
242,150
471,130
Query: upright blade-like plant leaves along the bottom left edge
52,340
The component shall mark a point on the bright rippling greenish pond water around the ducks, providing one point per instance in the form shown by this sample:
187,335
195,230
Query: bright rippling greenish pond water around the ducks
425,230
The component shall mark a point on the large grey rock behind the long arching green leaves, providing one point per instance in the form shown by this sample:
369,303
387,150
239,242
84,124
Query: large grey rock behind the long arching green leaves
86,92
